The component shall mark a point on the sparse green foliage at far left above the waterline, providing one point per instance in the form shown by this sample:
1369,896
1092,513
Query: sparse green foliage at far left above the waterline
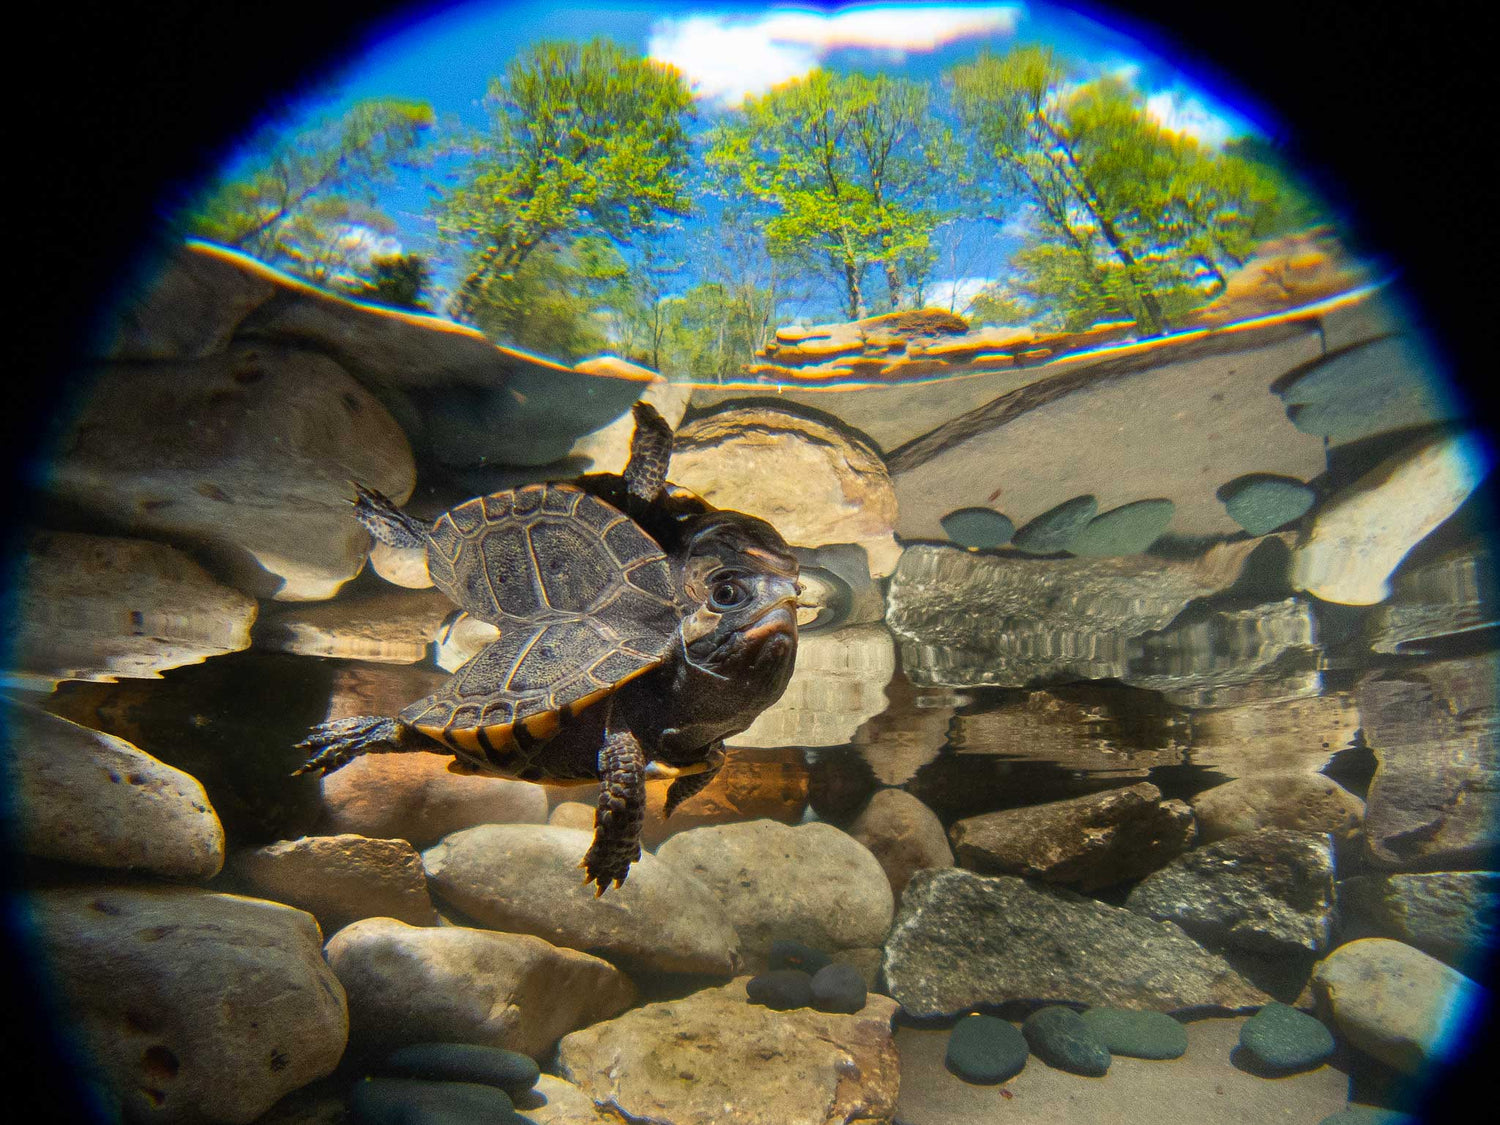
304,202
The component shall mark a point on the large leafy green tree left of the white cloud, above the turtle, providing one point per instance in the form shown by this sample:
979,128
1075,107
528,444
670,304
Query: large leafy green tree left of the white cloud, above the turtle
584,139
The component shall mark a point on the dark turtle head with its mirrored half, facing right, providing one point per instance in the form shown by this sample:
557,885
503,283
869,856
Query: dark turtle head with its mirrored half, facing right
742,578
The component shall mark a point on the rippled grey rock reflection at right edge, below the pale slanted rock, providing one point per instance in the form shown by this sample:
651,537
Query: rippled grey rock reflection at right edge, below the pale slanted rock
1451,595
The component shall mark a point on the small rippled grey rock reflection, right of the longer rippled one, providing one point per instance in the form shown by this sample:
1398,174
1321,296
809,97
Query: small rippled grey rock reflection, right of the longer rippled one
1232,656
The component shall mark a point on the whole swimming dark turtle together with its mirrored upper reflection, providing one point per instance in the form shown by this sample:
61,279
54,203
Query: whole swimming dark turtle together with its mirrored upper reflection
616,662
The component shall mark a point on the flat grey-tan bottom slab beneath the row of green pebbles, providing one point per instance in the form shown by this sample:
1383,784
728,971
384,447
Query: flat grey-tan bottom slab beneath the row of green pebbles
1204,1088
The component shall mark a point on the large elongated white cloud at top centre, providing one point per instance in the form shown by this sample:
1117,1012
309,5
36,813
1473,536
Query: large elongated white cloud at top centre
727,58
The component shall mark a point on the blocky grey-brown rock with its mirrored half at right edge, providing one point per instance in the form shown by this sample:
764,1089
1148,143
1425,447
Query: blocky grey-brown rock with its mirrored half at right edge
1435,802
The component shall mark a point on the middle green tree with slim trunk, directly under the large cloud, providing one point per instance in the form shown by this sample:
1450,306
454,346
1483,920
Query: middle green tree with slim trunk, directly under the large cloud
848,167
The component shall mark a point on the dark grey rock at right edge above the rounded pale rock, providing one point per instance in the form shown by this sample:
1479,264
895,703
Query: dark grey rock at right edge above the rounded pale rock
1451,916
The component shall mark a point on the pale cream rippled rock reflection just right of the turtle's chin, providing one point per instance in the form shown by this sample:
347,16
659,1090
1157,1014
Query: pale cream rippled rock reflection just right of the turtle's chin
839,683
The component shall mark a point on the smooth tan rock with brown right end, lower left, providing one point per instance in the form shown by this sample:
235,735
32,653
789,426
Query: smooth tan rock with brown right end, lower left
457,985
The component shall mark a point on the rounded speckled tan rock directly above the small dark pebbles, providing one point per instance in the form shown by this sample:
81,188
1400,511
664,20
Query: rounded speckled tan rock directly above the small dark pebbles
812,883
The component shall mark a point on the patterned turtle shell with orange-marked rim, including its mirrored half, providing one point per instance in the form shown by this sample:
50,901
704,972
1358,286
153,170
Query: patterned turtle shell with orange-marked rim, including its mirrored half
584,604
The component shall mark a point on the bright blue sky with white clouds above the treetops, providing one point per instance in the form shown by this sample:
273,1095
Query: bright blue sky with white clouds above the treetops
448,55
